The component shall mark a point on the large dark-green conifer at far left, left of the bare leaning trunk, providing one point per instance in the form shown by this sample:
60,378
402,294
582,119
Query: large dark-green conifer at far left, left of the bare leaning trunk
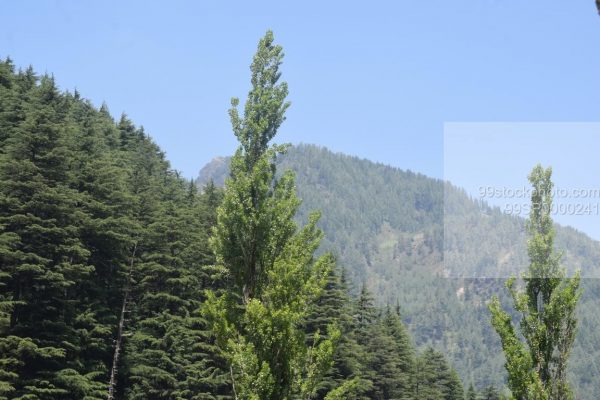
44,259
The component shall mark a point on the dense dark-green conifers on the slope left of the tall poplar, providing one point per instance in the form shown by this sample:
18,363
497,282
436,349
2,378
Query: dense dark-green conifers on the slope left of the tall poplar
78,192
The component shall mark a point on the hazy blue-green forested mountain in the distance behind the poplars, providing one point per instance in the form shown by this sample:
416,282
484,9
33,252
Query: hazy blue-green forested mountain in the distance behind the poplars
426,244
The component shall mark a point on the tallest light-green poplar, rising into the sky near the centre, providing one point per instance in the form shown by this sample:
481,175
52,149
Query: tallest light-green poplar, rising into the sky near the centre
274,275
